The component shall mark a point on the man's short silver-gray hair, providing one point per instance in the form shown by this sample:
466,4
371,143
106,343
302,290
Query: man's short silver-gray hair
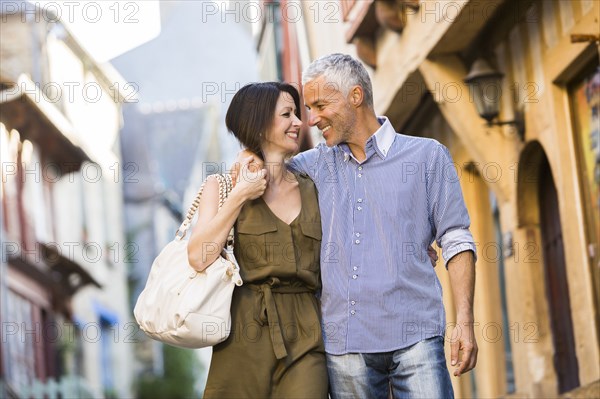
343,71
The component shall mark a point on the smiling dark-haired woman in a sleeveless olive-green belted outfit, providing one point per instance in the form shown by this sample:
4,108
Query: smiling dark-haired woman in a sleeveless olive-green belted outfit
275,348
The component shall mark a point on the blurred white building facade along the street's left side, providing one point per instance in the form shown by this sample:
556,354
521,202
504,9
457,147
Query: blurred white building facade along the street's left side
66,323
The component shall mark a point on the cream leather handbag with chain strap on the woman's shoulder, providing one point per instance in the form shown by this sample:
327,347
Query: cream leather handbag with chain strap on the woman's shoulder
182,307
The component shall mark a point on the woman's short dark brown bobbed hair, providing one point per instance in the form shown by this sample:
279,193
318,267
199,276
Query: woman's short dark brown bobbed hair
252,110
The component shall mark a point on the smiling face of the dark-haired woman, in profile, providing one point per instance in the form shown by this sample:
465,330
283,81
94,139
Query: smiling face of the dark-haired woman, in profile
283,135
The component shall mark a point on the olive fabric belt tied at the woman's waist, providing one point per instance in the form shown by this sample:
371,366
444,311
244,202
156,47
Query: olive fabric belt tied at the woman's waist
266,310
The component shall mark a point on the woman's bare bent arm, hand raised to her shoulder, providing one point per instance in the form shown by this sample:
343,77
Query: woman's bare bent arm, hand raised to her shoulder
211,230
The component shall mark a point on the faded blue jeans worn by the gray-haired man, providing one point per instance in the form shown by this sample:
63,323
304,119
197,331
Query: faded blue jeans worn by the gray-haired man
418,371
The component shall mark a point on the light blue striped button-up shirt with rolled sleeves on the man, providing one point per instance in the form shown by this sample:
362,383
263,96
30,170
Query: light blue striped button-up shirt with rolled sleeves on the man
380,292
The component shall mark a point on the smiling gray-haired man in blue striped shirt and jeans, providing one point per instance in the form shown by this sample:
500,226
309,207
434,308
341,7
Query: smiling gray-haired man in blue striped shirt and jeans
384,198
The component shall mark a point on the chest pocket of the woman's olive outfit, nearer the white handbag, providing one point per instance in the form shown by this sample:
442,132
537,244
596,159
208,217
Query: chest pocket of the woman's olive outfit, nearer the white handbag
252,245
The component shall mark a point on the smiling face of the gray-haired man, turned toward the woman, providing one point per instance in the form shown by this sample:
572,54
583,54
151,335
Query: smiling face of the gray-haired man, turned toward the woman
329,110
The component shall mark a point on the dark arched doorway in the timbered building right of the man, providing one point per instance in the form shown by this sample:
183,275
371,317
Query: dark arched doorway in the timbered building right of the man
538,205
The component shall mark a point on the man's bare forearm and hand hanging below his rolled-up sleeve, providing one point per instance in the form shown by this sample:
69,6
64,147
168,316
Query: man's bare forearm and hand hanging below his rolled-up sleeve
462,280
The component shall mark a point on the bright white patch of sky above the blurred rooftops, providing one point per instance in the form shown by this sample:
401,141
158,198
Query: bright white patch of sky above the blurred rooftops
107,28
